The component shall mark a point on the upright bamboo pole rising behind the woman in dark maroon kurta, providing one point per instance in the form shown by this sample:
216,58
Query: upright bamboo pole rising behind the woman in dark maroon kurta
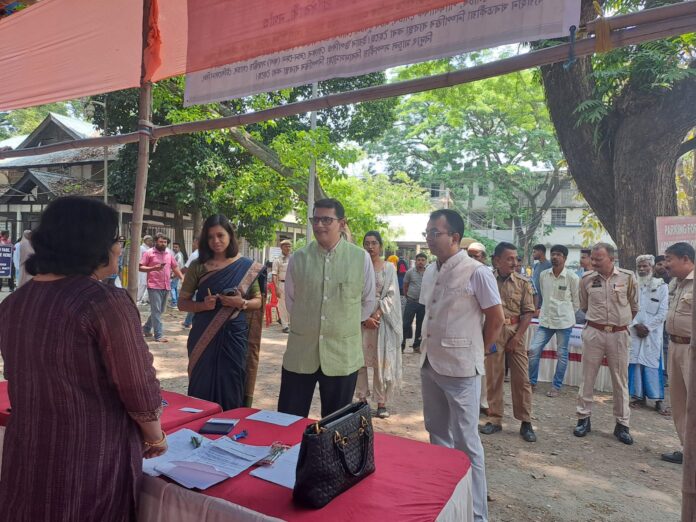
143,134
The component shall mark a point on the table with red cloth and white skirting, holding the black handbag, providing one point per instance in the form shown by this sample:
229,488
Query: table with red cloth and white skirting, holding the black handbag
412,481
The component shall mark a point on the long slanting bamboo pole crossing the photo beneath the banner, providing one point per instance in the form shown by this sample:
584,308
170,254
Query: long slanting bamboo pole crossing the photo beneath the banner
628,32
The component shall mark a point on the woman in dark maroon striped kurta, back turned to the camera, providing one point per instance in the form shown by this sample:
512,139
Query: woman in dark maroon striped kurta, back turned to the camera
85,400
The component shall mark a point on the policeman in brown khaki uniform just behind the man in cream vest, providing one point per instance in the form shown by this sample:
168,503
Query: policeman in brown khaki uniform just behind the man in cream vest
517,297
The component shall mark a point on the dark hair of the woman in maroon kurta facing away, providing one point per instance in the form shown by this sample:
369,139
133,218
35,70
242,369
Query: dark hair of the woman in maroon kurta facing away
74,237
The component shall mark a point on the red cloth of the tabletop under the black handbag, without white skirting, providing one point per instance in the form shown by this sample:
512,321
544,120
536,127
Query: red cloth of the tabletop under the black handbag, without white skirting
413,480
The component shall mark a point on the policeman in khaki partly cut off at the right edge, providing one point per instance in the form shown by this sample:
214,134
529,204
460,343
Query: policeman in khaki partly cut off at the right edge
680,264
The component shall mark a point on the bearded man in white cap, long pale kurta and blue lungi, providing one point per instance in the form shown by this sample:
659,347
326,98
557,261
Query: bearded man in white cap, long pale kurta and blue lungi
645,360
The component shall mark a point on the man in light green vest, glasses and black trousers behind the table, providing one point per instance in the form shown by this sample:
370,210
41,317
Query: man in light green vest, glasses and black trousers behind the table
329,291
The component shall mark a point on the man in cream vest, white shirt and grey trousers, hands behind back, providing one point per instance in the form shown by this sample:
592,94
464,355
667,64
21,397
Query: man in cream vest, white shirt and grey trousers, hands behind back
463,317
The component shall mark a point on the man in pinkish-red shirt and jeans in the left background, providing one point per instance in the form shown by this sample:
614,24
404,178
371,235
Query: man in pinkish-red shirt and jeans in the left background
158,263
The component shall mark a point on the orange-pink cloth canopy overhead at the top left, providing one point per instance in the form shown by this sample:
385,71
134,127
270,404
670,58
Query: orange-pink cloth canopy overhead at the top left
65,49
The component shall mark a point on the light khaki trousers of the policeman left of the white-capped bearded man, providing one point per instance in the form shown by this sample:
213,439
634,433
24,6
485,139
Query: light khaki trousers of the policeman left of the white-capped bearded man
596,344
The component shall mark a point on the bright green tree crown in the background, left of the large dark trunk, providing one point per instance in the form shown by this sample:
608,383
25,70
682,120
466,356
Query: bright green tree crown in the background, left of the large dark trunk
494,134
